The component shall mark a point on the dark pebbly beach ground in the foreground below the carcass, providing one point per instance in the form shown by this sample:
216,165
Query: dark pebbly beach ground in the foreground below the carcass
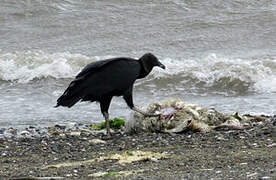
235,154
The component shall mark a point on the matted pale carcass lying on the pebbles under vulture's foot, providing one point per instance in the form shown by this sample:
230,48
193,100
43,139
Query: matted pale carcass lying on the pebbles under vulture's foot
177,116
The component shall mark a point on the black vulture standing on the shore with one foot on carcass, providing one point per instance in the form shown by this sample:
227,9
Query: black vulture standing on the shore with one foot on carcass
101,80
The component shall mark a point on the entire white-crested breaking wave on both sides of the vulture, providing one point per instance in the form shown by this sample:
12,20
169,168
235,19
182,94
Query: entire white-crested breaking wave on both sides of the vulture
212,72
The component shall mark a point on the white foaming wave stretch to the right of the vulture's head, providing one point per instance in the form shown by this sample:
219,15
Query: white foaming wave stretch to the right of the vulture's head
221,72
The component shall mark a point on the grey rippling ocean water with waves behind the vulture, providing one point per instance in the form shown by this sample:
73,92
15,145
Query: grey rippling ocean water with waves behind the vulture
219,54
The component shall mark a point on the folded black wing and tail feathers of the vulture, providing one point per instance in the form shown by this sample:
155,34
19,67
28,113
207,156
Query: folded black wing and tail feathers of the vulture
110,77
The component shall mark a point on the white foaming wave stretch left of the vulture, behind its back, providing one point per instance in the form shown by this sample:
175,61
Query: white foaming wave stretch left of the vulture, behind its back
23,67
